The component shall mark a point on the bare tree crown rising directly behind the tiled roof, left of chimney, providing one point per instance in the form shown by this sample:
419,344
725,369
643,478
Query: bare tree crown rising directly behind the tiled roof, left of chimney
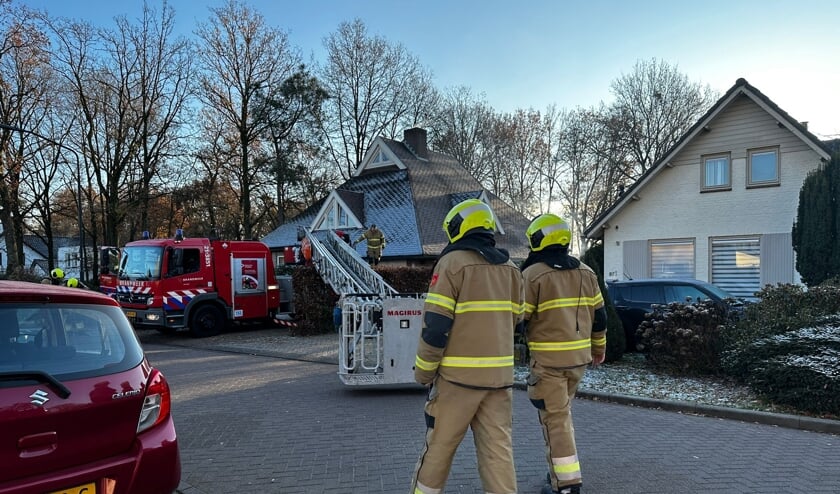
376,87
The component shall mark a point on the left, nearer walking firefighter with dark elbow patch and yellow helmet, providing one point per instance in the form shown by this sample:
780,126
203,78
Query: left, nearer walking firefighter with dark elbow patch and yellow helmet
465,352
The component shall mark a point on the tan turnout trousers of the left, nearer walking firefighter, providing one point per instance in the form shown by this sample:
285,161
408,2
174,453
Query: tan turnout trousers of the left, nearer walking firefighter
450,409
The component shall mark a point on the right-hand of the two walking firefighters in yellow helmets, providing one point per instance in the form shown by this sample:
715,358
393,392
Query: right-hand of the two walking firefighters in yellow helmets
565,326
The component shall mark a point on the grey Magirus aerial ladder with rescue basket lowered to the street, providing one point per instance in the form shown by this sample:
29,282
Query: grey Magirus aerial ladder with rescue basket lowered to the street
380,327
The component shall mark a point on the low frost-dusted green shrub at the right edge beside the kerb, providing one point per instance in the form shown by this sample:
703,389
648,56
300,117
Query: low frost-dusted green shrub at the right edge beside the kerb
797,368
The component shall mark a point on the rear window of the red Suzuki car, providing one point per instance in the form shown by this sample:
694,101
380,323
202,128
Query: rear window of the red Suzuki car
67,341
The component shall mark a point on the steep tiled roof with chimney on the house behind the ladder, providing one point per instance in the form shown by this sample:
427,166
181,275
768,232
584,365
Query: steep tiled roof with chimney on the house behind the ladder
407,196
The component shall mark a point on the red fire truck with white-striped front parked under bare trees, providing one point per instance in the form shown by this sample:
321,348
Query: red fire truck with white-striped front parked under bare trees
197,283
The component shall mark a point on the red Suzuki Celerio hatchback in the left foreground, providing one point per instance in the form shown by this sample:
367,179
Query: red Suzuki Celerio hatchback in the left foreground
81,409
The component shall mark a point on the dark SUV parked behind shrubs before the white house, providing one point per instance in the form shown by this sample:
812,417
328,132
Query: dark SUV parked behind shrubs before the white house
634,298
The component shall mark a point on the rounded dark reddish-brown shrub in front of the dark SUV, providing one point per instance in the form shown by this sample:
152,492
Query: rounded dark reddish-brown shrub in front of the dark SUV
685,338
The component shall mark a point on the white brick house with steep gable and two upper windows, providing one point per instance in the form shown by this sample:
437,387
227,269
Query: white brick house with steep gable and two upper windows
719,206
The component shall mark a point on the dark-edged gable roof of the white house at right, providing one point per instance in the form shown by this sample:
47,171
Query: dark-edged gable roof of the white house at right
741,87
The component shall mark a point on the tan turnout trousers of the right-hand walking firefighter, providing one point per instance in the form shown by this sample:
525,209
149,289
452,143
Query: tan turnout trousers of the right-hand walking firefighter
552,391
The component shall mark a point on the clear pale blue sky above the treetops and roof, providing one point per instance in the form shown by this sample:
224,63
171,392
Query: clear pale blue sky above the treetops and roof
534,53
